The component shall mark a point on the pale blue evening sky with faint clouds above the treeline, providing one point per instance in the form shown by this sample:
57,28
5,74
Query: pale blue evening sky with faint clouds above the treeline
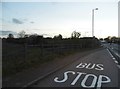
53,17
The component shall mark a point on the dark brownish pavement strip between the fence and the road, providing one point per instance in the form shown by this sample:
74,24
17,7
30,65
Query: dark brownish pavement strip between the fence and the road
31,76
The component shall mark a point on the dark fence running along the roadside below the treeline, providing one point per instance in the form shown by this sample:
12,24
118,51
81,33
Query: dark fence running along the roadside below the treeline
18,57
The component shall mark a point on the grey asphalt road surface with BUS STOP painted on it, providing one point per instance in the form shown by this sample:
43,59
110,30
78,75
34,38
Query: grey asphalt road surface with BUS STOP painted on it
97,70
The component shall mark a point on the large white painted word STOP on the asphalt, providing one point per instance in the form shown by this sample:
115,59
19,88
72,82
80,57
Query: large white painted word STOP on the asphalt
84,81
